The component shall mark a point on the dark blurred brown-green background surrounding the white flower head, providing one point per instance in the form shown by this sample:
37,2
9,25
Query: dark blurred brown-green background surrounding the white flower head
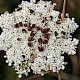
73,8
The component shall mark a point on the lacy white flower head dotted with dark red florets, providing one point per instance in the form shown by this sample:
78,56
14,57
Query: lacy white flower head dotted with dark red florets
35,38
